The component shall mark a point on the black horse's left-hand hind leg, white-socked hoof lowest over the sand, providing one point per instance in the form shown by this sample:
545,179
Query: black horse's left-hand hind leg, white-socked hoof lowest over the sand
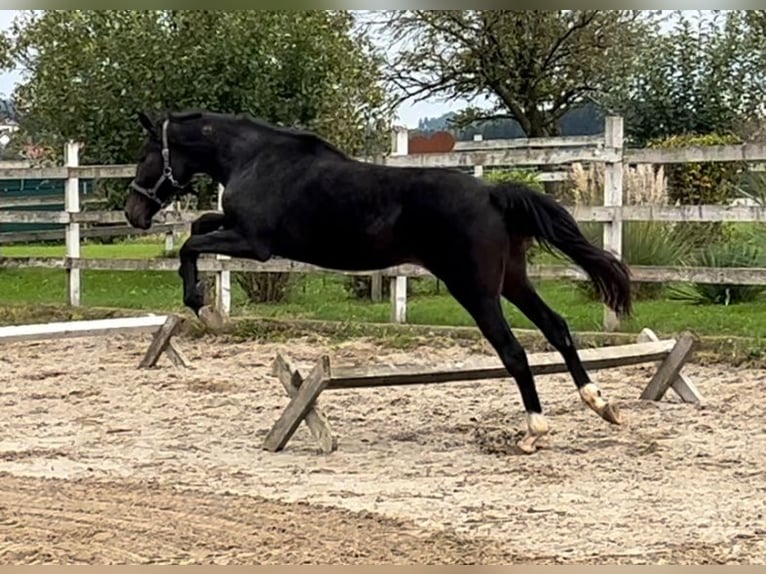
487,312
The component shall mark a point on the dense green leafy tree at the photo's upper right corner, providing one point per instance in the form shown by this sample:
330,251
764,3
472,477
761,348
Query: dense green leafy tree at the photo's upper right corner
704,76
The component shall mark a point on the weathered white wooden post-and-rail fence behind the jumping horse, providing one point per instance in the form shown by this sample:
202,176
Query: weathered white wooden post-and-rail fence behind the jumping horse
606,149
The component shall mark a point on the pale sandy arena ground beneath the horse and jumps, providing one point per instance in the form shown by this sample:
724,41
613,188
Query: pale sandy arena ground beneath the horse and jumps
103,463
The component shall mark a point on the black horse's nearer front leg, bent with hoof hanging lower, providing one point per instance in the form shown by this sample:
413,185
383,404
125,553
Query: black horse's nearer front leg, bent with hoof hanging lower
222,242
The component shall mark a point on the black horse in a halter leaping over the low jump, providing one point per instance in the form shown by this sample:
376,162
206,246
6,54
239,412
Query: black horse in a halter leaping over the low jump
291,194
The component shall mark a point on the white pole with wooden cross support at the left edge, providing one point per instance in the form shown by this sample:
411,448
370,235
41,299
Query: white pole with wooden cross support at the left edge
163,327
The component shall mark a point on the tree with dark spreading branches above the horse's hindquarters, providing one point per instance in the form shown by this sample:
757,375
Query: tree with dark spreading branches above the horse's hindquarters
531,65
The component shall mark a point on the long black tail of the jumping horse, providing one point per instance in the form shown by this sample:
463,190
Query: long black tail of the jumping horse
529,213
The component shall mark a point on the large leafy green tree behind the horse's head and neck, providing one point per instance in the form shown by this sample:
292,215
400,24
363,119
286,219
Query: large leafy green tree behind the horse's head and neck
88,72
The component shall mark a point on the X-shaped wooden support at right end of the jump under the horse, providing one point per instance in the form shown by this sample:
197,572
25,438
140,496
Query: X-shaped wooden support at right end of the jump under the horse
668,374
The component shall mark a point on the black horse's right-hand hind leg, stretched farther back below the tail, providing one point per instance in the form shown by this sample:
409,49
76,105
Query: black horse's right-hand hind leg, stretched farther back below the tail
520,292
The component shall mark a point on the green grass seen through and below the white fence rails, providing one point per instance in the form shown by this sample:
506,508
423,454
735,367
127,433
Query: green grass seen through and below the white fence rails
321,296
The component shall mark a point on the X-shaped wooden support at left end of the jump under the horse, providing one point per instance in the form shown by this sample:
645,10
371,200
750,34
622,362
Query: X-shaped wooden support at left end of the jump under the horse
302,407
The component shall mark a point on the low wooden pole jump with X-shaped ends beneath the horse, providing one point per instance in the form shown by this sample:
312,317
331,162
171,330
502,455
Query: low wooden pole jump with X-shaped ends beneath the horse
670,354
